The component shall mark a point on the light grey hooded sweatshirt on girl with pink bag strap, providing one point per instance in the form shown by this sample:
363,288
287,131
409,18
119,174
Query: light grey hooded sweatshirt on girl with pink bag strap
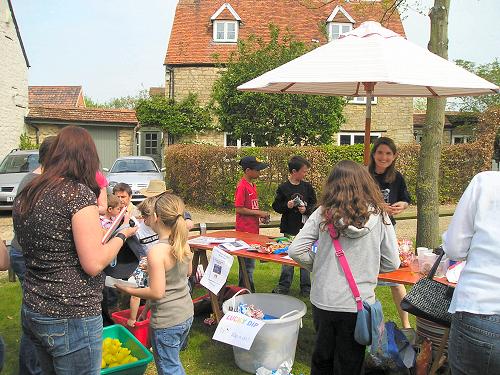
369,251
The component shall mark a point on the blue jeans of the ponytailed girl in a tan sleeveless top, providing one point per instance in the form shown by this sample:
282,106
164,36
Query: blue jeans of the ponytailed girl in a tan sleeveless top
167,343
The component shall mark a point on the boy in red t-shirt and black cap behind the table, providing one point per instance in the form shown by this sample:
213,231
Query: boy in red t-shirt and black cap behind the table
246,202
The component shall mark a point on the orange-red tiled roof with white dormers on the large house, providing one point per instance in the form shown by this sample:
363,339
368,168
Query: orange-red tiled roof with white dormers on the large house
192,31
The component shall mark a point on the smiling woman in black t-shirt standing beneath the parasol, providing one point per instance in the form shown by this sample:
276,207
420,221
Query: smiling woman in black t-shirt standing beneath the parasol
393,187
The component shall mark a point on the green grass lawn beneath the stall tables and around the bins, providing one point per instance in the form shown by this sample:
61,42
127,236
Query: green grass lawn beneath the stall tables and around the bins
203,355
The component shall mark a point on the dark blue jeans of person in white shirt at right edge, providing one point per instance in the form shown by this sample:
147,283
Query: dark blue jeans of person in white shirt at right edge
474,346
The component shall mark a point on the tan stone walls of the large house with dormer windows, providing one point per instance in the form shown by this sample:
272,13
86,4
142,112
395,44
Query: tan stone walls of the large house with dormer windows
393,117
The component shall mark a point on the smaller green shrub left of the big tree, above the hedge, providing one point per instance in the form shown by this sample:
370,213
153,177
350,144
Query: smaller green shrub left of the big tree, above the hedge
179,119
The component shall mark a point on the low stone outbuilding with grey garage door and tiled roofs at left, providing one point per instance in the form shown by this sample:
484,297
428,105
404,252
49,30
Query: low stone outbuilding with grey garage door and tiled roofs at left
53,107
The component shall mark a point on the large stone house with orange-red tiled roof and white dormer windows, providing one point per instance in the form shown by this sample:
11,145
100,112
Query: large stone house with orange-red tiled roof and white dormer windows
204,29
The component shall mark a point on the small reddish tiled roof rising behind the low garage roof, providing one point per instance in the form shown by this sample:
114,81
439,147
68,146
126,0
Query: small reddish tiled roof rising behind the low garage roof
60,96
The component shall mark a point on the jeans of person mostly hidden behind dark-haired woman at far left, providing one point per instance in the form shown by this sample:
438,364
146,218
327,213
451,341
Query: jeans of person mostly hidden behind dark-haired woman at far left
28,363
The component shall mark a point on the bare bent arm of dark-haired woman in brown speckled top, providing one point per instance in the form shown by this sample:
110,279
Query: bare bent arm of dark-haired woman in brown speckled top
87,234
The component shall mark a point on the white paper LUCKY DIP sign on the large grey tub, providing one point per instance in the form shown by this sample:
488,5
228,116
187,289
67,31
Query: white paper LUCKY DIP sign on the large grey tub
238,330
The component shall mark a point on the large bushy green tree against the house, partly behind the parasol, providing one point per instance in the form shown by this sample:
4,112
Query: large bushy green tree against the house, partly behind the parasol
272,119
